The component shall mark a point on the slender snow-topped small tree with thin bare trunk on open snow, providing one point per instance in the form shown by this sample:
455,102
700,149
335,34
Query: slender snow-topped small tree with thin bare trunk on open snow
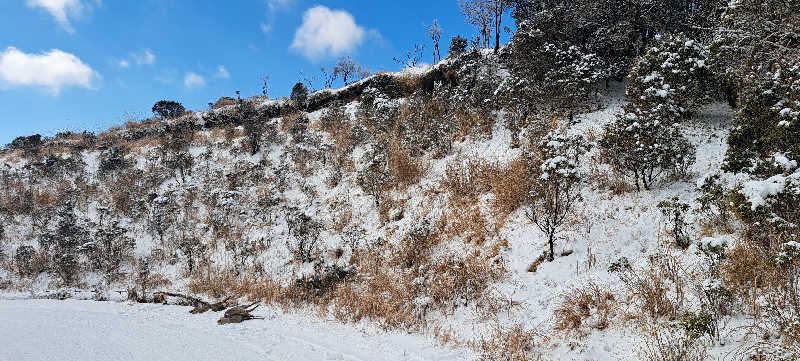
555,187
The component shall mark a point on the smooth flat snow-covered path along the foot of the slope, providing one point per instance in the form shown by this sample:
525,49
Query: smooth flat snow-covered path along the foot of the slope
85,330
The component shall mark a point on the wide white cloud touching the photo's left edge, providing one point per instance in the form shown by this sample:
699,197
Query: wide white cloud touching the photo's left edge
53,70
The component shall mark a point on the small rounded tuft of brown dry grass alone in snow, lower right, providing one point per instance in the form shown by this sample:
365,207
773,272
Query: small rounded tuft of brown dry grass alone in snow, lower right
590,306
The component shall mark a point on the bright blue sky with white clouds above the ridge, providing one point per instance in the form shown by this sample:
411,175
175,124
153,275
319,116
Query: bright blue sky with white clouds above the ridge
90,64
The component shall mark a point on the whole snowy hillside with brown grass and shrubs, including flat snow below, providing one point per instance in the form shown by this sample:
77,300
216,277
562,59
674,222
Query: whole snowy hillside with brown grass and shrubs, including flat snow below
509,205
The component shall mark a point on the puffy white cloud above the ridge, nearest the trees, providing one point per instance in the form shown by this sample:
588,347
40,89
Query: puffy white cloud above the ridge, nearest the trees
327,32
